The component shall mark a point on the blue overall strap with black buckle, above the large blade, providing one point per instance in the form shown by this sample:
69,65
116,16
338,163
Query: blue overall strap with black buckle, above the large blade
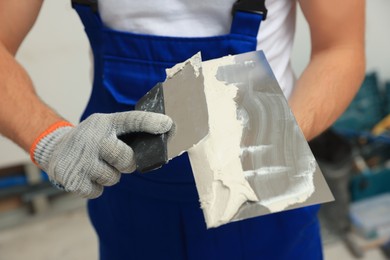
247,16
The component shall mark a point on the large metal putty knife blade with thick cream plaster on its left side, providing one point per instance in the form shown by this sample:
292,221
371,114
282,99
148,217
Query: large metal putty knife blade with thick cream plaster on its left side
276,161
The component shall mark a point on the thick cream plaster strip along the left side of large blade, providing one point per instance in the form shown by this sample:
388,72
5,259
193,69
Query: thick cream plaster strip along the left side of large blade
215,161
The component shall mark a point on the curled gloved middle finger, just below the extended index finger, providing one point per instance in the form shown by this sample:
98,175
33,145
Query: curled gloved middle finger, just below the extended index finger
118,154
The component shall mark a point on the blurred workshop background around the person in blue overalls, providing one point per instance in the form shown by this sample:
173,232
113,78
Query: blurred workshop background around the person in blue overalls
40,222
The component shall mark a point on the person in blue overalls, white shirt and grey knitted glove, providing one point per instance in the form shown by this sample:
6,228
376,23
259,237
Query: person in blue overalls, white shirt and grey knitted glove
157,215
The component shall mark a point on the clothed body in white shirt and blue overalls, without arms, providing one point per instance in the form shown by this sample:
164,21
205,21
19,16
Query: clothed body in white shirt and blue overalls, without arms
127,64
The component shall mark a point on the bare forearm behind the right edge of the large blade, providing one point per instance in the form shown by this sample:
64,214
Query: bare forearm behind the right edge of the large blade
326,88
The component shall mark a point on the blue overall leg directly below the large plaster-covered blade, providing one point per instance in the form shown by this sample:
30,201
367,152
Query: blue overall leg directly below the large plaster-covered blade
289,235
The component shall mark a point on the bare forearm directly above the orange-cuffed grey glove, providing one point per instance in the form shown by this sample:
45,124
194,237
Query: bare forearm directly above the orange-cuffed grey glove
23,116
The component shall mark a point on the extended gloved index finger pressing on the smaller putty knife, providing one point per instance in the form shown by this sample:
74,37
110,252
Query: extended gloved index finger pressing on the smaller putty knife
140,121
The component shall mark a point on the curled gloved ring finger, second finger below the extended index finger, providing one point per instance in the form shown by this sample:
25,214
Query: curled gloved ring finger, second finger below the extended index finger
105,175
